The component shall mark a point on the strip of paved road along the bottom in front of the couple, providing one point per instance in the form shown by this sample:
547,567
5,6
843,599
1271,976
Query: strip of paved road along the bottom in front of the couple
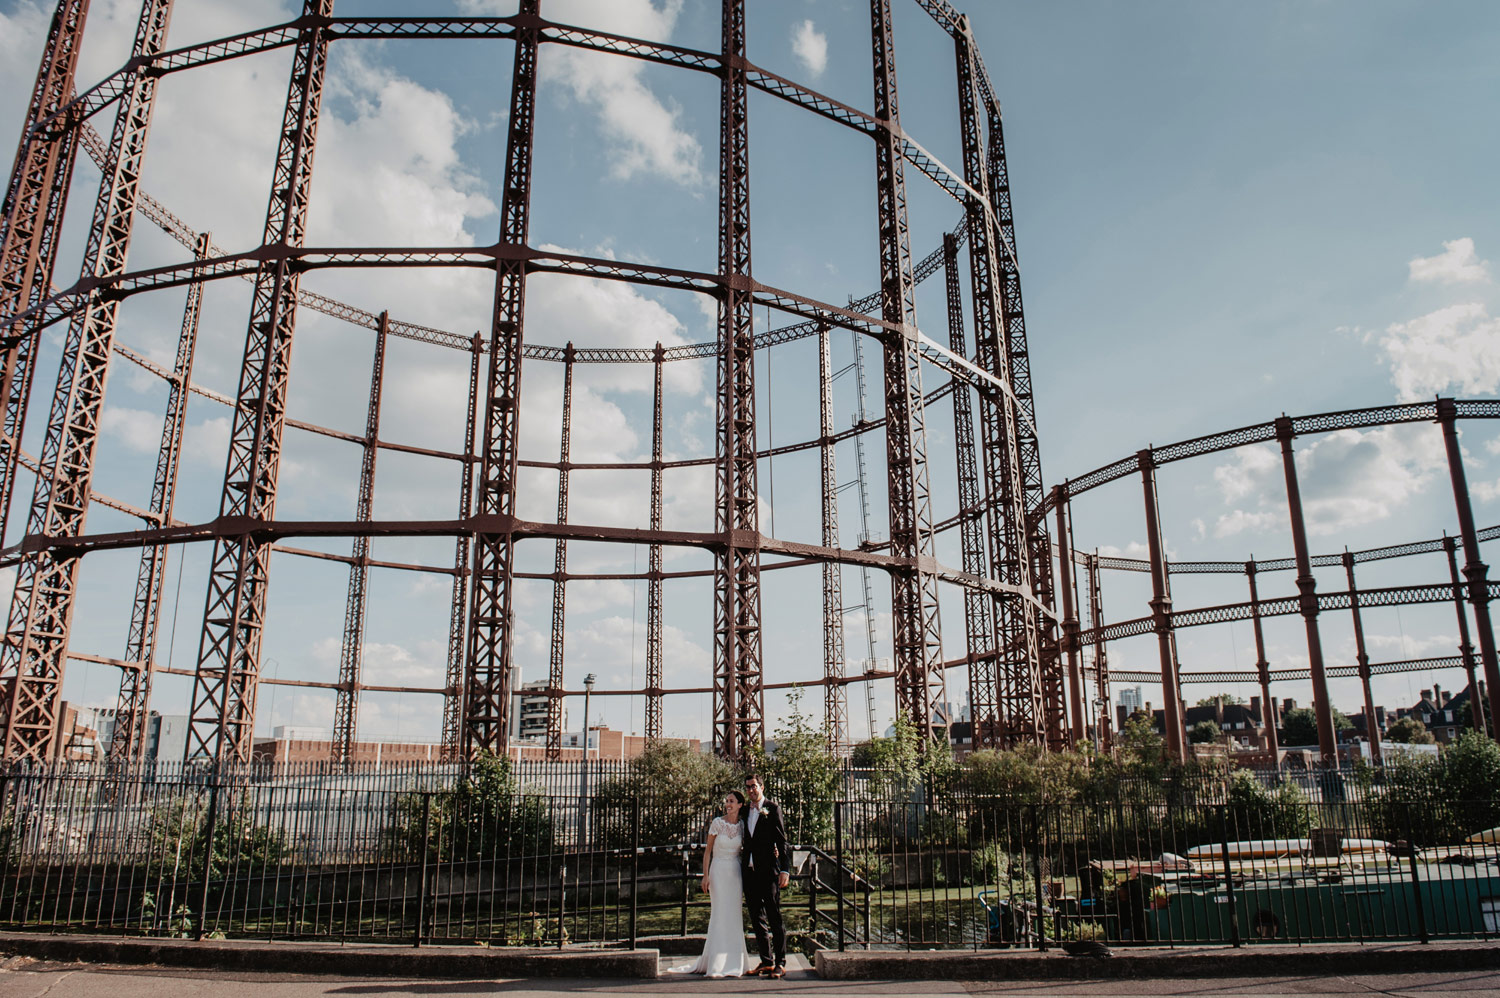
23,978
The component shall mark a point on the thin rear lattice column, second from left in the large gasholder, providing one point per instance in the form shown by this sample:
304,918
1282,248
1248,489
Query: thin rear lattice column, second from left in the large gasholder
352,654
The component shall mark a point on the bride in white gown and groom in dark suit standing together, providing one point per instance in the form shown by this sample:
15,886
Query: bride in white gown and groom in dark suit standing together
748,855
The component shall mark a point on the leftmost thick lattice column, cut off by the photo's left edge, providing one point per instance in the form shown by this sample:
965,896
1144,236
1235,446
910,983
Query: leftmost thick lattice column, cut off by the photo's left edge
31,226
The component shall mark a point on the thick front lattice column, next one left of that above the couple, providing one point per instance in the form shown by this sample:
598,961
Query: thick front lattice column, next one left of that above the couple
487,702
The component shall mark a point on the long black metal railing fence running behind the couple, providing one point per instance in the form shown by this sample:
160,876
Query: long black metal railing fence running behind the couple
445,855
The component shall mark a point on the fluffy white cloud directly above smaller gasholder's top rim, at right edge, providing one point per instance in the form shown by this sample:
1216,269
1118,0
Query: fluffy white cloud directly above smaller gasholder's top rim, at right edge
1453,349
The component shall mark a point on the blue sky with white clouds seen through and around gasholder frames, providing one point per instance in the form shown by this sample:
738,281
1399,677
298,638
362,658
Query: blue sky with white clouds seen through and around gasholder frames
1225,214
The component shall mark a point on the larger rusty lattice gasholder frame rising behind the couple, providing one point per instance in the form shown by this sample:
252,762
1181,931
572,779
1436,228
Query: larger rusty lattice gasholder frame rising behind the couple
988,361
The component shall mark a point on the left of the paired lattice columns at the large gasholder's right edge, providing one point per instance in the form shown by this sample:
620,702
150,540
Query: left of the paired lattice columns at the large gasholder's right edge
998,320
